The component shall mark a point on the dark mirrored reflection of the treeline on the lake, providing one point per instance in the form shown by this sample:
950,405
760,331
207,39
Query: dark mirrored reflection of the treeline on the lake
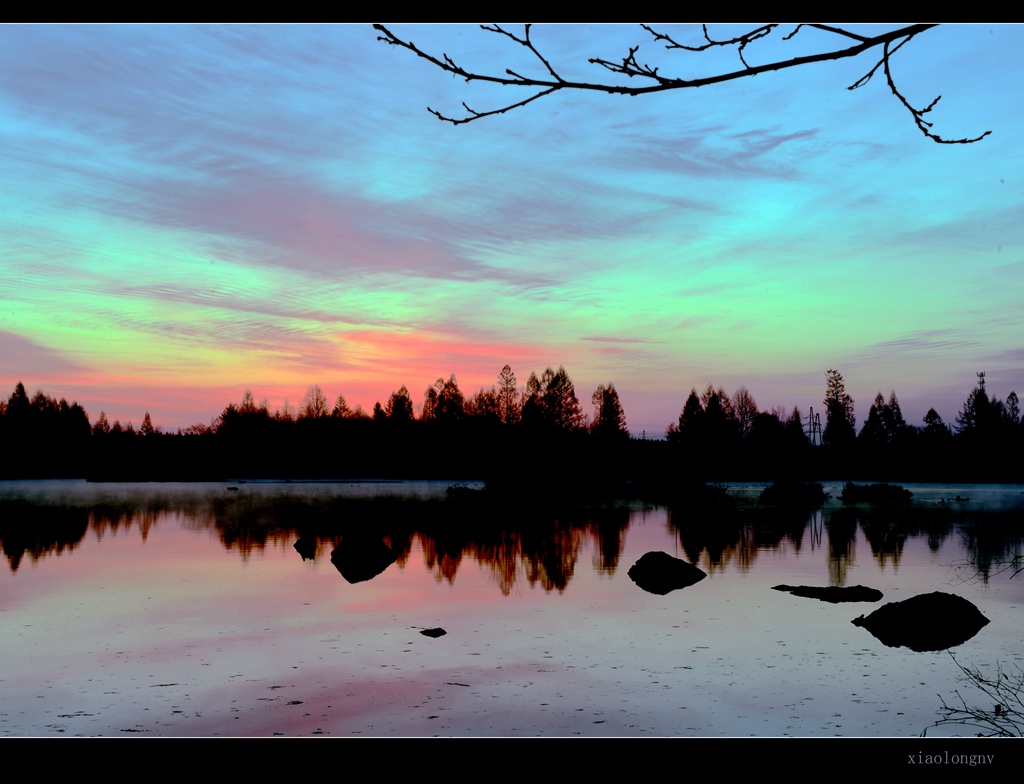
535,543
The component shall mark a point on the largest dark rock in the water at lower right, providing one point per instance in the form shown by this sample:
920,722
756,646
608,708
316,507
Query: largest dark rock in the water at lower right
926,623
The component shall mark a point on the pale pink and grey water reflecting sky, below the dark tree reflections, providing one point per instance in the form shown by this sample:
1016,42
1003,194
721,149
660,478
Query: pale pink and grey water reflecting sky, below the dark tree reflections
173,634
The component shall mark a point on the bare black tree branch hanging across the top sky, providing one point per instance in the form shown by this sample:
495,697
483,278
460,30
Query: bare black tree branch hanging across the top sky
631,68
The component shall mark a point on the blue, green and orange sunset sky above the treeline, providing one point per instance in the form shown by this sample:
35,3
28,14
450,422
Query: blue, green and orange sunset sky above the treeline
191,211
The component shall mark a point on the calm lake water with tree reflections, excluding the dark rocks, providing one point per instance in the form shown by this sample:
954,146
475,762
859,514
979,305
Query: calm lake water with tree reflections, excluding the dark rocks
188,611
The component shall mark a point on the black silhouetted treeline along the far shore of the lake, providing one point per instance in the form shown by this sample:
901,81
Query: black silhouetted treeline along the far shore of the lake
521,439
